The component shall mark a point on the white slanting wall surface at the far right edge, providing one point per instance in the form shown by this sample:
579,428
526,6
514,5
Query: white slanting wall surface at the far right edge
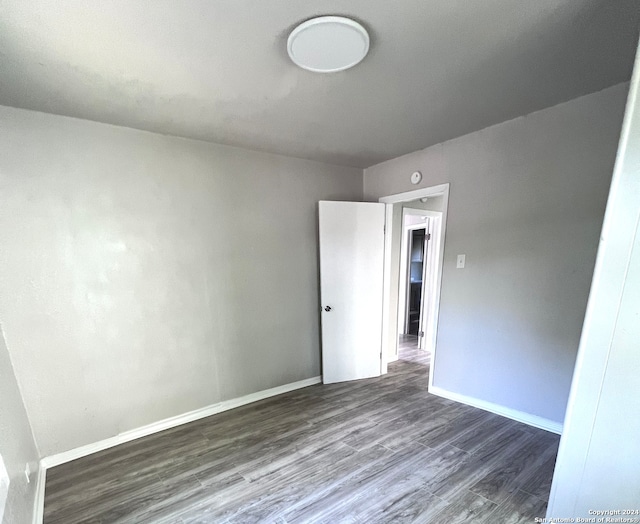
597,465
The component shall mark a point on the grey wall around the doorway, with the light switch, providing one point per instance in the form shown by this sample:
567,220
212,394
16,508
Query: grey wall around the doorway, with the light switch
526,203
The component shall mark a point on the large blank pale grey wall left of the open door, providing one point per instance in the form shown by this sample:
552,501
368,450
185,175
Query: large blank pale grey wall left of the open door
145,276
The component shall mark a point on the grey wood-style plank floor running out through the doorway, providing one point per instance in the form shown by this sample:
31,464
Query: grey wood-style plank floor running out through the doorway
369,451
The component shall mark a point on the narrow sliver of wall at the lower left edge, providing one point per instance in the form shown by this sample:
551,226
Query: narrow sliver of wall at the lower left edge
17,445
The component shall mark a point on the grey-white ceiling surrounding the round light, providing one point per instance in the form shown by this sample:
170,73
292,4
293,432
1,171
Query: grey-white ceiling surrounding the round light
218,70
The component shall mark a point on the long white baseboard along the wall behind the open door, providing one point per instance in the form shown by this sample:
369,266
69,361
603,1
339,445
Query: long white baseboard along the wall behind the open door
150,429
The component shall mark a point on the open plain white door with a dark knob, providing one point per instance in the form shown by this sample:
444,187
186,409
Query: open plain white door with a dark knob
351,284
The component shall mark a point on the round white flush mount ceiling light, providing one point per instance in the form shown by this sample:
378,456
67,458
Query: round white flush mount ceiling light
328,44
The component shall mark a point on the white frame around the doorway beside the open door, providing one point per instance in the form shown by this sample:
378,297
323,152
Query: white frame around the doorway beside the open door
389,318
